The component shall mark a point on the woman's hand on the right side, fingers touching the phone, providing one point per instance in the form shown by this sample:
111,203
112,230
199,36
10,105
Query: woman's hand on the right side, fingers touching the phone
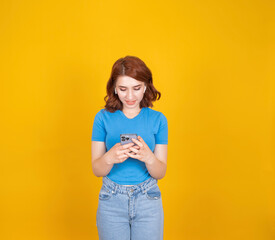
142,151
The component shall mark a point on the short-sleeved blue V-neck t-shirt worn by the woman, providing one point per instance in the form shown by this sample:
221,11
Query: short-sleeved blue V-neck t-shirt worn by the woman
150,124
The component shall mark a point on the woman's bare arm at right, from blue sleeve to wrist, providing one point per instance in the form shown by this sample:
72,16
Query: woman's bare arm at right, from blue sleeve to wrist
157,165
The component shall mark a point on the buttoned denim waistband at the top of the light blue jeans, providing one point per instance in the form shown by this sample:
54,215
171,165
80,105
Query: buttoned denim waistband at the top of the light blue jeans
141,187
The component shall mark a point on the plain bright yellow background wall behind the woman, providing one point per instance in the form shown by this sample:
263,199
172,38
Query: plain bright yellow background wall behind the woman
213,62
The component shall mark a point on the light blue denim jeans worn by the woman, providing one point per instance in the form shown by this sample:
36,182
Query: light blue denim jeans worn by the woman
130,212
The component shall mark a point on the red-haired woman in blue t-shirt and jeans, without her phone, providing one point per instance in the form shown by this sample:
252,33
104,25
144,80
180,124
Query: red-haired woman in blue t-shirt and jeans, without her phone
130,203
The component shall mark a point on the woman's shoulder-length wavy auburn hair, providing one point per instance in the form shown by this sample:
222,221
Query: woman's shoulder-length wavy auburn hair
134,67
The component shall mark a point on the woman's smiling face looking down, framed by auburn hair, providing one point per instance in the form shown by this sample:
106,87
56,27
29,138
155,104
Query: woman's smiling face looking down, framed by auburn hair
130,91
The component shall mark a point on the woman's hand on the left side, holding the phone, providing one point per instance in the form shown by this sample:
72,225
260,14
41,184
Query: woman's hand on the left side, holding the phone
117,153
